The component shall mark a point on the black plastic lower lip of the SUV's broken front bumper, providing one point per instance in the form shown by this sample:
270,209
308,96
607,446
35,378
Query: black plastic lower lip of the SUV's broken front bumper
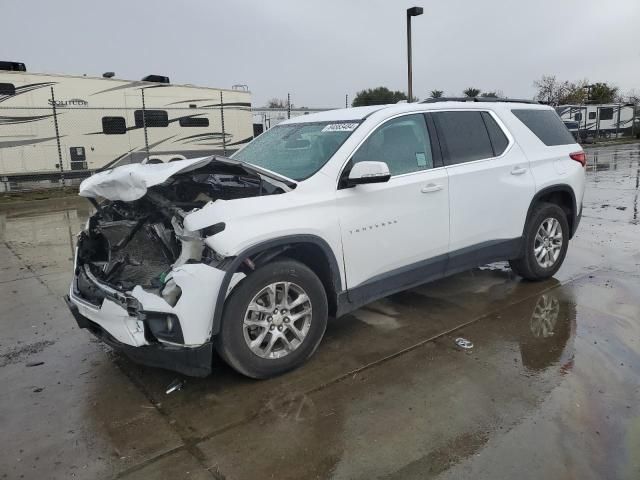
195,362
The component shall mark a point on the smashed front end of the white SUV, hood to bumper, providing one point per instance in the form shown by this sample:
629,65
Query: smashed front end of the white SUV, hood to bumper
143,282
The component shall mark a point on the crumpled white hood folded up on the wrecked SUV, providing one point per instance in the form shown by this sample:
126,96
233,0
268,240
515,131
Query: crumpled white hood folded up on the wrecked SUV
130,182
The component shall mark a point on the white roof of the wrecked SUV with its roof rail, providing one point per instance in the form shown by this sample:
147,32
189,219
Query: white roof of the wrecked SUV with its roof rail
360,113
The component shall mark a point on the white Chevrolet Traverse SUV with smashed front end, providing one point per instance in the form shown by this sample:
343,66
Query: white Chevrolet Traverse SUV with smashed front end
315,218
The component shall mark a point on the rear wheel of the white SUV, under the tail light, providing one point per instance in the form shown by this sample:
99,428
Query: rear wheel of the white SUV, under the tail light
528,266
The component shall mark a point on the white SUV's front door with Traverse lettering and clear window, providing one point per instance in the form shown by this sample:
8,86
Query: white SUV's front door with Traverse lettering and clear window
395,234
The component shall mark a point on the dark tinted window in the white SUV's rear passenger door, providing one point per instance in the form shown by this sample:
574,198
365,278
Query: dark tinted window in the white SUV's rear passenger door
464,135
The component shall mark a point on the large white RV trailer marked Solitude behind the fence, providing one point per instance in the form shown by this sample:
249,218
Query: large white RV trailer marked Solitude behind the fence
98,122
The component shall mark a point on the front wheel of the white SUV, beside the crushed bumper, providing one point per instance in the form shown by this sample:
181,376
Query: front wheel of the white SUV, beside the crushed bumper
251,316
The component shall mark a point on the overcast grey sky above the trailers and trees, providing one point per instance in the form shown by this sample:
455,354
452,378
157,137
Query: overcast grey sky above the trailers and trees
321,50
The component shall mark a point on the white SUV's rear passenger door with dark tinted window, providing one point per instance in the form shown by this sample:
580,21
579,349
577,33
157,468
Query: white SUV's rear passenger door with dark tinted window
490,186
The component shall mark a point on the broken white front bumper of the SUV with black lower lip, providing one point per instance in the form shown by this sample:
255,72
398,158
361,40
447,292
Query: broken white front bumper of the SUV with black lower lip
122,318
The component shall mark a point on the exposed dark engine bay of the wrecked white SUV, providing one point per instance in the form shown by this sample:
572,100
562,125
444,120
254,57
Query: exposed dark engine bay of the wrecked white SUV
138,243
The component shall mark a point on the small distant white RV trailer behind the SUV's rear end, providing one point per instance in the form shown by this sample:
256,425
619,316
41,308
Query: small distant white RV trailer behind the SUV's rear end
605,120
